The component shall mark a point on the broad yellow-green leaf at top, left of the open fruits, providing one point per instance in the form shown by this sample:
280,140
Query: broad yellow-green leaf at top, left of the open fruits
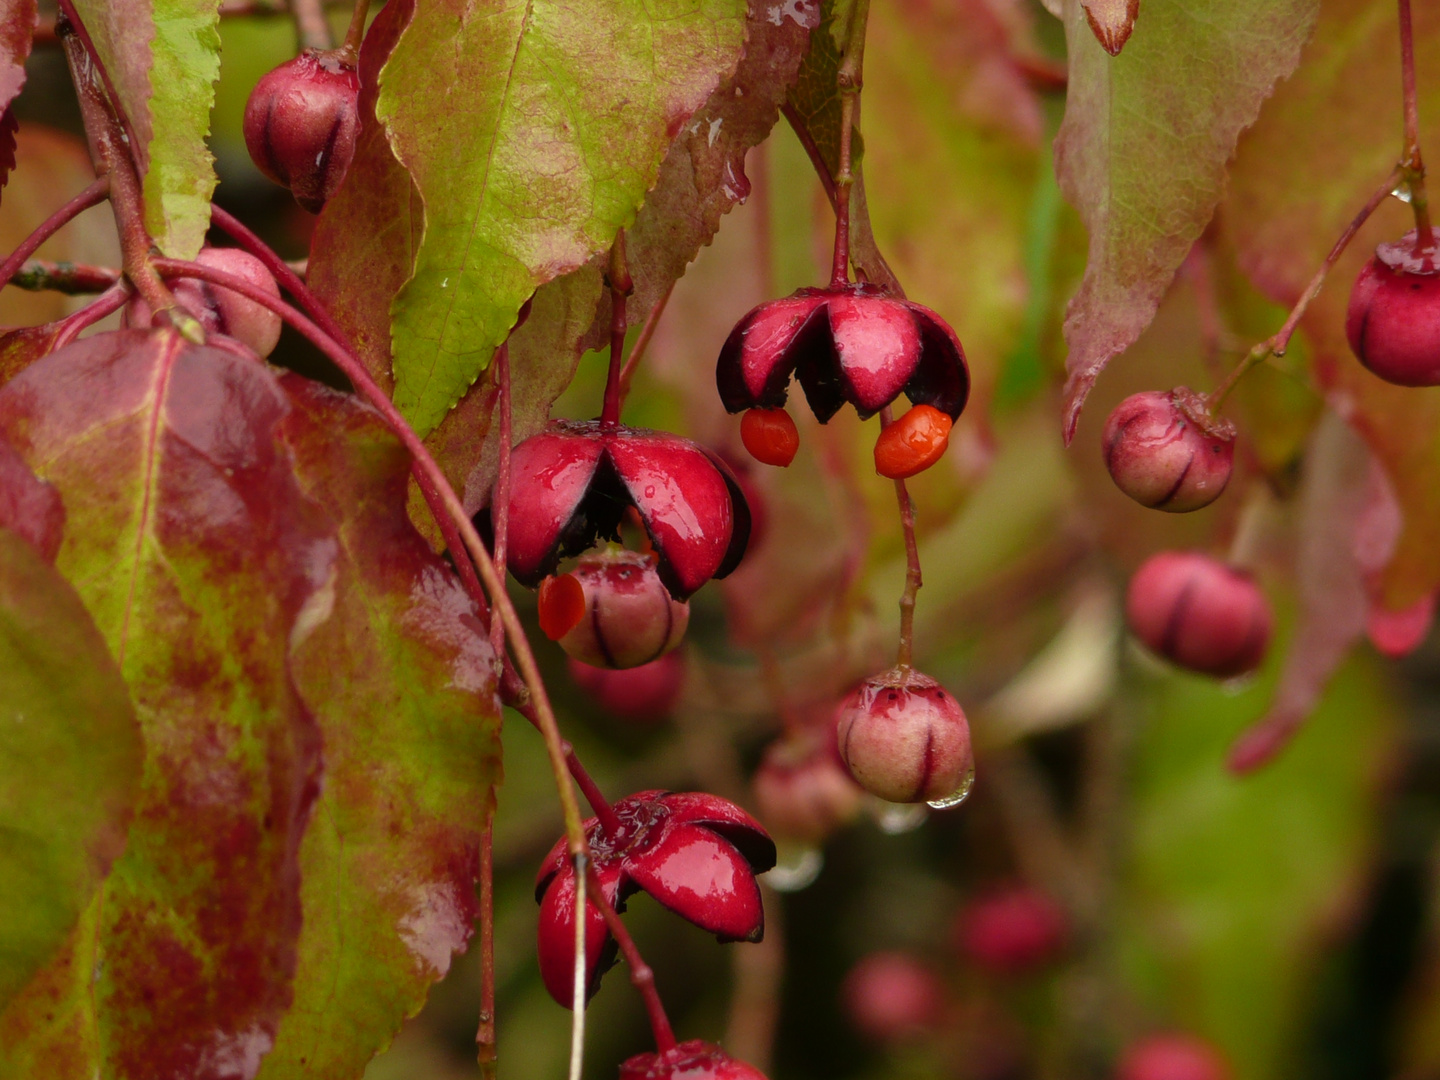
568,114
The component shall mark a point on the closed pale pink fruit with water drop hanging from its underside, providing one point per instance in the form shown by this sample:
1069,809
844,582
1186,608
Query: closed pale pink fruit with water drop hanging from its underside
905,739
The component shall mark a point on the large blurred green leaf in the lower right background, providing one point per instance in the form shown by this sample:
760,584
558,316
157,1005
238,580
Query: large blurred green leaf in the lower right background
1232,883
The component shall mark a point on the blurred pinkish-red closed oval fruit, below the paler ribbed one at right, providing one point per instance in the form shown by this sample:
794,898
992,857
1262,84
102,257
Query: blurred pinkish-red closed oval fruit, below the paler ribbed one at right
1200,614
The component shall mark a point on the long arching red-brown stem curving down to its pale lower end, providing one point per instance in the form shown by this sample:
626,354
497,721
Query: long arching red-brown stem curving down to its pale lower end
454,509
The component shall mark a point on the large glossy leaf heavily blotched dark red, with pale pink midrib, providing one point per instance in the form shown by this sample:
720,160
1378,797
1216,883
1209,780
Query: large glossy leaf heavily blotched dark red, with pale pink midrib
197,554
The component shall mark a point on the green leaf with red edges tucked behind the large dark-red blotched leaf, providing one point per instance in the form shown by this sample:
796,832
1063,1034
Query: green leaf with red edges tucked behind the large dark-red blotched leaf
402,679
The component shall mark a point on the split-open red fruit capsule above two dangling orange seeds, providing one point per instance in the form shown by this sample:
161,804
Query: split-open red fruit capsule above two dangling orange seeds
845,345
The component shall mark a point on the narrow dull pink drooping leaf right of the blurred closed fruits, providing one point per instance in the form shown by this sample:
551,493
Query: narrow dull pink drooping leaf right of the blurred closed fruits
1336,499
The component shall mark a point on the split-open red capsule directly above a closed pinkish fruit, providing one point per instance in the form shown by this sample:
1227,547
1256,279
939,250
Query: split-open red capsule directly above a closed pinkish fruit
574,482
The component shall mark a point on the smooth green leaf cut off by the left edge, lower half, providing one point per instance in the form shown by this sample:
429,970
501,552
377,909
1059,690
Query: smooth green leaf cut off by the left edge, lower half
70,758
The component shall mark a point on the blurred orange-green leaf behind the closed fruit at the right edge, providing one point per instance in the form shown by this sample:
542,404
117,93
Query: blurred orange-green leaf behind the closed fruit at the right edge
1324,123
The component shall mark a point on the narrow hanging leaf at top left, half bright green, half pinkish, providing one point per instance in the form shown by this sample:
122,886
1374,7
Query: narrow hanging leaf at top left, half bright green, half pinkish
163,58
